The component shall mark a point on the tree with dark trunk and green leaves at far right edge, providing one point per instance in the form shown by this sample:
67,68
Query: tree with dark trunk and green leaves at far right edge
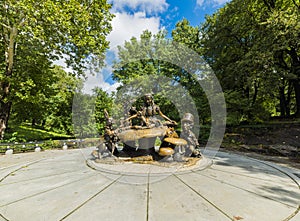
281,22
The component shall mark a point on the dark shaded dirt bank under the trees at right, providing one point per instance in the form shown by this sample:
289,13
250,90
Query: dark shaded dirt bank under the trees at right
279,143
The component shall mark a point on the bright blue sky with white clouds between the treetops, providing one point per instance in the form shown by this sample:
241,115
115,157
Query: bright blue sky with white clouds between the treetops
132,17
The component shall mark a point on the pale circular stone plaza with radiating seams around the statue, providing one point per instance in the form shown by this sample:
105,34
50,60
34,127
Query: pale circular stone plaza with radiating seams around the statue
69,185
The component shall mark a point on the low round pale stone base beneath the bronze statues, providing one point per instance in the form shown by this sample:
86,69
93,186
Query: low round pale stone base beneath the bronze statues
138,170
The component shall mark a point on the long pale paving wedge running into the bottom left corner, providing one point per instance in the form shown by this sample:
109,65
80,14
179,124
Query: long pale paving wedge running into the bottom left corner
54,204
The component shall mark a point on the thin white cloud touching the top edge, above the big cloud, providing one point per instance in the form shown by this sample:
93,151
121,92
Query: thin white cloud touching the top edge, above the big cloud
148,6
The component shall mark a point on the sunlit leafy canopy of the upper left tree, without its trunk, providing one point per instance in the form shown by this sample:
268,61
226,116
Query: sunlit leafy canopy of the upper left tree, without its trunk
75,28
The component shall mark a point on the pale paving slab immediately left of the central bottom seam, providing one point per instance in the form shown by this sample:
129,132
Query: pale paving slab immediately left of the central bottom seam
119,201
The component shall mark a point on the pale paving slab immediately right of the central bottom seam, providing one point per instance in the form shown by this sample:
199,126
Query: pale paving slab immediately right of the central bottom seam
170,199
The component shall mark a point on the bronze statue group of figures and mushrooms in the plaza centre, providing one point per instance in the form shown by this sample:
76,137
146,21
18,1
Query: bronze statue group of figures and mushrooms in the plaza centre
145,123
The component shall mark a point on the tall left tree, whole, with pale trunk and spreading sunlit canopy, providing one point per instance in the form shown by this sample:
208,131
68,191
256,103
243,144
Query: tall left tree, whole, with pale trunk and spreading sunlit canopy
74,30
